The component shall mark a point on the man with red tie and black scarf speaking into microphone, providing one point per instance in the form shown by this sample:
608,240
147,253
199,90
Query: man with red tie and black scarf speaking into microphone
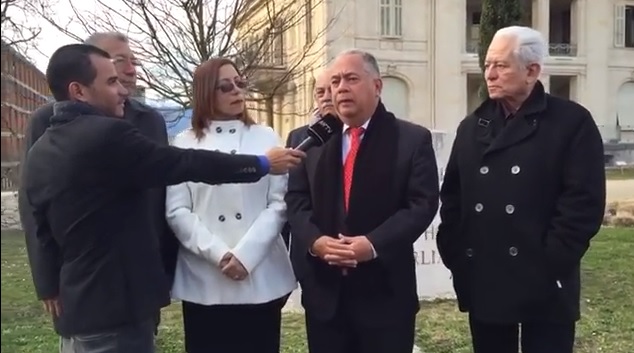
356,205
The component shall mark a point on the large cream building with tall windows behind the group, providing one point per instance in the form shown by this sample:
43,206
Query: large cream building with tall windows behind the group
427,52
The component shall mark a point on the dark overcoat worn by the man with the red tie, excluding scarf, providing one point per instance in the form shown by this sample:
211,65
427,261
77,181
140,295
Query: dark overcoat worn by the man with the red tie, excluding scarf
416,183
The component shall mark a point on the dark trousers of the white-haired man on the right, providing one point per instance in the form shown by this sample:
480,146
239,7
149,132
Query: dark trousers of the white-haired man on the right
536,337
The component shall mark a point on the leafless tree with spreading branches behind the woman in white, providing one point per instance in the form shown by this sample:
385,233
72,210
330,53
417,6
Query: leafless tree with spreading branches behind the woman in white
173,37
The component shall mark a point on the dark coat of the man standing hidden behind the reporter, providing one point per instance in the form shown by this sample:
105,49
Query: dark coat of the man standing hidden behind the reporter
151,124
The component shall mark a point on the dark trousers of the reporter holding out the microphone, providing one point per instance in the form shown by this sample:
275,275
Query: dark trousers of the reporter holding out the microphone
136,338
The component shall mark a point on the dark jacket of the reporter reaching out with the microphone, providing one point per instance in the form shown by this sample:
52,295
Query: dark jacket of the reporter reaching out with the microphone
86,178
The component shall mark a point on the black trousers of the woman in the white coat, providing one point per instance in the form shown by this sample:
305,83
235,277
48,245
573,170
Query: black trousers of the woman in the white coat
232,328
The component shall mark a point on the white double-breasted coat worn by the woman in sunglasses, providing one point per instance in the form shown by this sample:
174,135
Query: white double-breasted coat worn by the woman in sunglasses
244,219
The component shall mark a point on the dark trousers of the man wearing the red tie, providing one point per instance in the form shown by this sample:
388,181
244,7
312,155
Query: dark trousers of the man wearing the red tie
346,333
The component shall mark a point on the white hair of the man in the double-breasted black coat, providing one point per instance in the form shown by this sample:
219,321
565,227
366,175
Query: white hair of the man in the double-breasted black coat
531,47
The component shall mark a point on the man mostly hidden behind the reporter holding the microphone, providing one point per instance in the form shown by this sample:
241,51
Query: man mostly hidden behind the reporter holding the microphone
149,122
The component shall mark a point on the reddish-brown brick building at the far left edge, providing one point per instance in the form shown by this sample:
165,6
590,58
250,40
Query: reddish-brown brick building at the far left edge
24,89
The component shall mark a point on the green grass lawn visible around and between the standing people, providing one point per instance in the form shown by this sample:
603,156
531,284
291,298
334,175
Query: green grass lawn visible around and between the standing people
607,324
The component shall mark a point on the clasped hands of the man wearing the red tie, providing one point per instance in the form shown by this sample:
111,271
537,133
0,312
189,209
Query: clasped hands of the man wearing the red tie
344,251
